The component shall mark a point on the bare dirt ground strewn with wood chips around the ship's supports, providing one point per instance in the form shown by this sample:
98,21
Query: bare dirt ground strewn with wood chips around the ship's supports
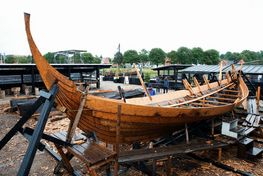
12,154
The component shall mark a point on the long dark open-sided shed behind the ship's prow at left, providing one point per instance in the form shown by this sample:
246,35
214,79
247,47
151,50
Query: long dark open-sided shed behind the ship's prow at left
18,74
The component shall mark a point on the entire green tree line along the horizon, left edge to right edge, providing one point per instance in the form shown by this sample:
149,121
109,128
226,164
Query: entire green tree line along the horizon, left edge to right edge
155,56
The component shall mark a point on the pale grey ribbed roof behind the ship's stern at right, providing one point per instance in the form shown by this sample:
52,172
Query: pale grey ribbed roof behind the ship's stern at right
247,69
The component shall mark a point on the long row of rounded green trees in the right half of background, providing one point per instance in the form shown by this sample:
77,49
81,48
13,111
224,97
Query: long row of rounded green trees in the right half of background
184,55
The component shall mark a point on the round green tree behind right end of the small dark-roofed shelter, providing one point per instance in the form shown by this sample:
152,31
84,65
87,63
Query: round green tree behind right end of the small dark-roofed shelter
184,55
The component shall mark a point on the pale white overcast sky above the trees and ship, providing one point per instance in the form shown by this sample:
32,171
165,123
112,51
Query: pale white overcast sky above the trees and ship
98,26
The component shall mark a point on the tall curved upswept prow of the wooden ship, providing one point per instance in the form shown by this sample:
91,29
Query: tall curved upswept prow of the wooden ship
48,74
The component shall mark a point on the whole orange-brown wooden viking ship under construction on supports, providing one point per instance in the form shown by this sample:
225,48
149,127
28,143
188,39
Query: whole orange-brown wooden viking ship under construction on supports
141,118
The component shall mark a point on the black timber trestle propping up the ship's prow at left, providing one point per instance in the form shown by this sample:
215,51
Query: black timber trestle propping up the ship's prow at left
34,135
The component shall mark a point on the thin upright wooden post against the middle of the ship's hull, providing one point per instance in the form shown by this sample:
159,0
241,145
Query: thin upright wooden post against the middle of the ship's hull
118,126
